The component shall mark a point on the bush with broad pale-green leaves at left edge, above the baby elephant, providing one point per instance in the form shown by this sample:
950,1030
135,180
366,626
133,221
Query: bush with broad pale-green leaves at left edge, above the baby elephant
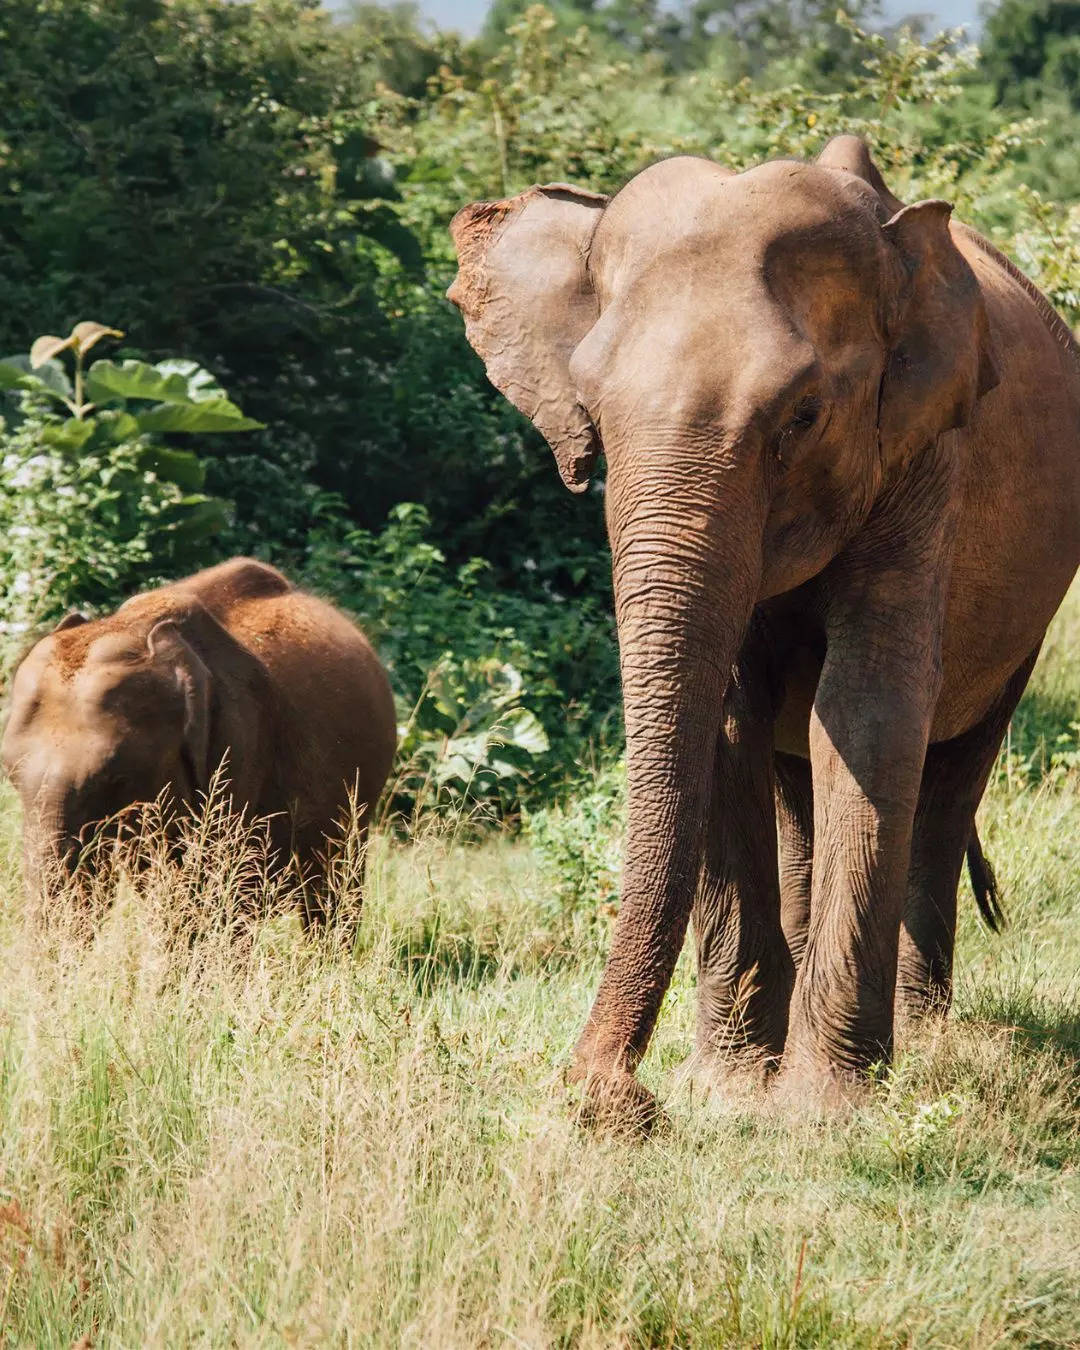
94,503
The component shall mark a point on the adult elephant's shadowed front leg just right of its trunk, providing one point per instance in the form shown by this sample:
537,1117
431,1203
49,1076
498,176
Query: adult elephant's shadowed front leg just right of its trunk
745,969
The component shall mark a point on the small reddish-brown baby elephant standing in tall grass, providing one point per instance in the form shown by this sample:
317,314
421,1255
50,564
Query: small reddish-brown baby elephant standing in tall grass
232,662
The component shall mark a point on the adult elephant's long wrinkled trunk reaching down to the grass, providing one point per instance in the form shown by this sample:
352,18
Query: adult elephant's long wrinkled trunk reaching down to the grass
686,549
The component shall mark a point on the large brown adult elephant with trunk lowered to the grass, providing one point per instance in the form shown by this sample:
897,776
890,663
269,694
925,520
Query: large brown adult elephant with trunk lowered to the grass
843,497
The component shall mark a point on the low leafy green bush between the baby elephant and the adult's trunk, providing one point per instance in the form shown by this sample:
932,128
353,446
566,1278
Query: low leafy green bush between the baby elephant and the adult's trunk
499,695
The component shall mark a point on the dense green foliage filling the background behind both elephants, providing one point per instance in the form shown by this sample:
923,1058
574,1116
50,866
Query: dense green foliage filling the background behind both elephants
264,190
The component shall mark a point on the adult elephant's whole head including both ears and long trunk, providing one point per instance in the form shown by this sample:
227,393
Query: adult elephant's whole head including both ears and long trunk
758,356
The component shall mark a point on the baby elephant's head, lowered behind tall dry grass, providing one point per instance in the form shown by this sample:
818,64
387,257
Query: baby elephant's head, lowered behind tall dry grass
103,716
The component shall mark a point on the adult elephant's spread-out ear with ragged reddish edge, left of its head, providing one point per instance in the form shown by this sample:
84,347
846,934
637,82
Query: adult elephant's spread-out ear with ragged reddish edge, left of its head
524,291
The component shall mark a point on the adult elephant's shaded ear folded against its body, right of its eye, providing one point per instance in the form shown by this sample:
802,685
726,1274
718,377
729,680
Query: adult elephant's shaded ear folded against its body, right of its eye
942,360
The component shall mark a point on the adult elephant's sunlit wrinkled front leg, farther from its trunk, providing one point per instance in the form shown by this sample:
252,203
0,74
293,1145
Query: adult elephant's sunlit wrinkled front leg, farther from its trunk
869,739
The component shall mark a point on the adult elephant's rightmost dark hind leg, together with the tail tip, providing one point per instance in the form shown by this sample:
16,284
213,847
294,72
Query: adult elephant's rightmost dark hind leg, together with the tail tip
954,781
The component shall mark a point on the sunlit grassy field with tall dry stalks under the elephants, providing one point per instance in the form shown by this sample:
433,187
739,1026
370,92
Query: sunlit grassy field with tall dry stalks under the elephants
306,1148
